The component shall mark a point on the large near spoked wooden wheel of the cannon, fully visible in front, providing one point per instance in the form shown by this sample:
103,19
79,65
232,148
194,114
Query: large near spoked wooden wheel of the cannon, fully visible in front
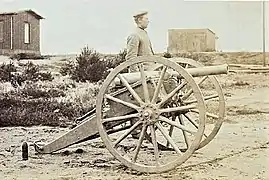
141,109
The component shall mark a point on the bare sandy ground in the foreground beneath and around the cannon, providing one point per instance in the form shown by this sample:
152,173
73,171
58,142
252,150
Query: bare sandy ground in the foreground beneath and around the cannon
239,151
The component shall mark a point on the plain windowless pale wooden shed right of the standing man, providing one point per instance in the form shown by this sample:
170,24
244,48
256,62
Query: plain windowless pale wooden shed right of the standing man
191,40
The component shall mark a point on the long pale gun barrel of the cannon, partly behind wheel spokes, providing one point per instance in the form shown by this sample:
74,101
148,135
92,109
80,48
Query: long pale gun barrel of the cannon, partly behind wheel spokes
195,72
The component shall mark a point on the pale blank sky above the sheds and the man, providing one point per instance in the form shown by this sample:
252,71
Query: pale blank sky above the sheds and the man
105,24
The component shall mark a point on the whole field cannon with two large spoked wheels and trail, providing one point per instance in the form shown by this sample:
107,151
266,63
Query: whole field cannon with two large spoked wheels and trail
176,105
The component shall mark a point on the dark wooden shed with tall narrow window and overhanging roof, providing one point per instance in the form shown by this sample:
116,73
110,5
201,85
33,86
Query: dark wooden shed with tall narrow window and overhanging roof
20,32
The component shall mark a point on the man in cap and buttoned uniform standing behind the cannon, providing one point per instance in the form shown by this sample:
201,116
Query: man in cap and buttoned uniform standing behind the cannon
138,42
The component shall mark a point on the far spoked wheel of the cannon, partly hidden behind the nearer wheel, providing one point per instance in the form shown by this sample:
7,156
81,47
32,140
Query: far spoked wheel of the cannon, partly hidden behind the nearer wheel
214,101
